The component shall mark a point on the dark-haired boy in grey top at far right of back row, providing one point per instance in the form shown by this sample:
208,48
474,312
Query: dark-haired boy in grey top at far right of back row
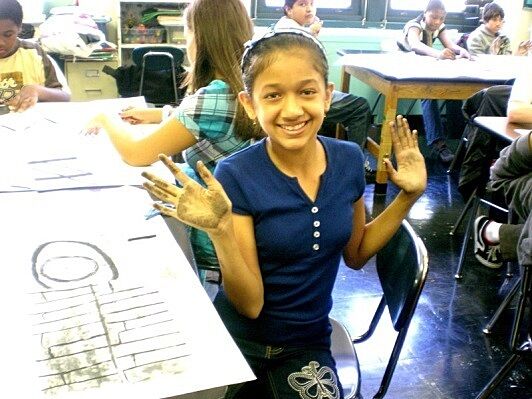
486,39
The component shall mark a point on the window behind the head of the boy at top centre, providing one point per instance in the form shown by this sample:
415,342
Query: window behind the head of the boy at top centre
327,9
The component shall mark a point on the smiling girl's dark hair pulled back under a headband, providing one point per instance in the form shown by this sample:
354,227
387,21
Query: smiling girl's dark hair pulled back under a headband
261,53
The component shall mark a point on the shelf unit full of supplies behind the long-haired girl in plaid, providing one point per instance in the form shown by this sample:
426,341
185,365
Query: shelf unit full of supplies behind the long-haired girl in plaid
134,31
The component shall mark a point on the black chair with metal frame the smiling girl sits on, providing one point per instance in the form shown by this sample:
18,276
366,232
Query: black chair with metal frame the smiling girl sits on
402,267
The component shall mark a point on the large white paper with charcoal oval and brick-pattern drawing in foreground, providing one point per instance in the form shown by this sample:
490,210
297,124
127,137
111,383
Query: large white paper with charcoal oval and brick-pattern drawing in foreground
101,303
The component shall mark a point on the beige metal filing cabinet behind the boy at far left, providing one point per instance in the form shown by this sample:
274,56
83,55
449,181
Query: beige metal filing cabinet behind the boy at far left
87,81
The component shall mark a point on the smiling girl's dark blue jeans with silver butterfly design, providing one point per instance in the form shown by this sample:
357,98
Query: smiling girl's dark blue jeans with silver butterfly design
288,373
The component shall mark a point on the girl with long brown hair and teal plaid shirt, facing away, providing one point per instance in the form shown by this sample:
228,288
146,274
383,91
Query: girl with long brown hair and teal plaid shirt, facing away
209,124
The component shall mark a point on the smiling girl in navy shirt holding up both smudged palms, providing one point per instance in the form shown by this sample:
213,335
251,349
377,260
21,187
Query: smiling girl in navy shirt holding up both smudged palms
282,212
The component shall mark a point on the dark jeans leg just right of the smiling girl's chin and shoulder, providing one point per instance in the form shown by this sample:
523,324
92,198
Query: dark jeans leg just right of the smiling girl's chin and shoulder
353,113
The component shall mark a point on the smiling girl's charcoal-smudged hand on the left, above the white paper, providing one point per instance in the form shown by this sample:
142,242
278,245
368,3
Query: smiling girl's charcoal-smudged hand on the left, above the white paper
207,209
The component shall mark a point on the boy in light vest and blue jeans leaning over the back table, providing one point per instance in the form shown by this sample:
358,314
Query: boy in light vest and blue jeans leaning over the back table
418,36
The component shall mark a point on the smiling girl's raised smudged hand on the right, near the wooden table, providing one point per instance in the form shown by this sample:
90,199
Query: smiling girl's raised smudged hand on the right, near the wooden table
411,174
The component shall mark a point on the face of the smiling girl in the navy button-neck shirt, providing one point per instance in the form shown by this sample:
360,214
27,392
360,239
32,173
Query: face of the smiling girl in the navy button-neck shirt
289,99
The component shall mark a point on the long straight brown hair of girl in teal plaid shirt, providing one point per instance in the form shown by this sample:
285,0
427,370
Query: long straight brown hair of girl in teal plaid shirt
220,30
